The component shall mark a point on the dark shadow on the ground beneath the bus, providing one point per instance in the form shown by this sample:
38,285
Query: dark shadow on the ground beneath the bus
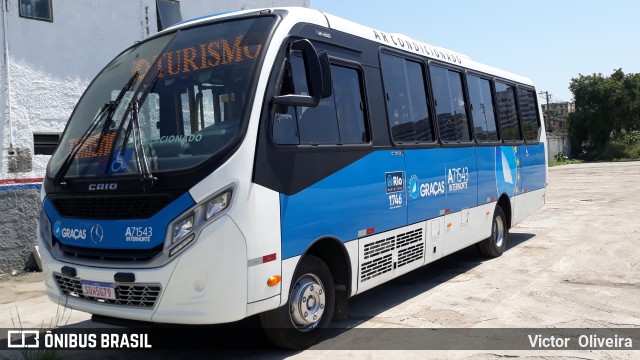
246,338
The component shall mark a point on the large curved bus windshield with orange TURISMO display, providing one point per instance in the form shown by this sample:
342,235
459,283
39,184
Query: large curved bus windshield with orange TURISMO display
166,104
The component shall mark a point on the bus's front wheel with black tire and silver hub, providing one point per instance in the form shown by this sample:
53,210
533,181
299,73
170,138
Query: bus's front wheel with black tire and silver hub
309,309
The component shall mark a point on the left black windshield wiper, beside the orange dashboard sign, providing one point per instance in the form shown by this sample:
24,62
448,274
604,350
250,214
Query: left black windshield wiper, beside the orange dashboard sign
106,112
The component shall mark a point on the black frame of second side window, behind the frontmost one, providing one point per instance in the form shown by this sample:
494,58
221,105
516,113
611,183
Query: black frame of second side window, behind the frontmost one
427,84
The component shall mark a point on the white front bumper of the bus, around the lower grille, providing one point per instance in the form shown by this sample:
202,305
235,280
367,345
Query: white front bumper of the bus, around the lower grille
205,284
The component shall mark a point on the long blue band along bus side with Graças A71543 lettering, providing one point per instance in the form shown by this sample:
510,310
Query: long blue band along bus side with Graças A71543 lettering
356,198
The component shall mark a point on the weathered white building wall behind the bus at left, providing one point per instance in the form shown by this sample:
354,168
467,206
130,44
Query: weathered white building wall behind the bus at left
51,51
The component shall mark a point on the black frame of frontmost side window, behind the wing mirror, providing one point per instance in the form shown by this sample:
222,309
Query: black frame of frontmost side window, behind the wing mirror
278,72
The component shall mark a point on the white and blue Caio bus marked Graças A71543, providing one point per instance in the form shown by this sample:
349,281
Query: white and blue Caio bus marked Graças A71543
278,162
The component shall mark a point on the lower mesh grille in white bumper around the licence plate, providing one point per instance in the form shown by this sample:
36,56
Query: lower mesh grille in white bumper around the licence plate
137,295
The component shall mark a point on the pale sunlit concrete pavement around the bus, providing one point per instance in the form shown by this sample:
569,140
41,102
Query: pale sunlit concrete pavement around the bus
573,264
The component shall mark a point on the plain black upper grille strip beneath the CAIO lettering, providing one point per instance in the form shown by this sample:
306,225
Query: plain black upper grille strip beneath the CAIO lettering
112,207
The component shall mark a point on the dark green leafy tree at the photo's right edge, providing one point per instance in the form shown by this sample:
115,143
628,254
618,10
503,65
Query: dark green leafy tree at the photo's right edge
606,123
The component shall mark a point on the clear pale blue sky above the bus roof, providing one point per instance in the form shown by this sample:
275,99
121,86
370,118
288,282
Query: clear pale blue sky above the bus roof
548,41
